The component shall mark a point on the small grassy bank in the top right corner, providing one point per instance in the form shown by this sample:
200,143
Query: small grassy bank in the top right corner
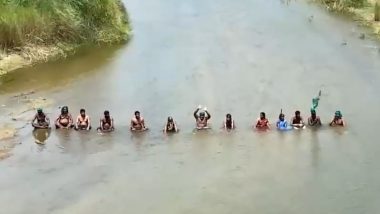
365,11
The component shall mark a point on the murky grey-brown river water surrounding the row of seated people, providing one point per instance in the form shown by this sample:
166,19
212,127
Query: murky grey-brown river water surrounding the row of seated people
241,57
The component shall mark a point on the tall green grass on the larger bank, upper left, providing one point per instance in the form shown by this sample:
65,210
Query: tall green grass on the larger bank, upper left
48,22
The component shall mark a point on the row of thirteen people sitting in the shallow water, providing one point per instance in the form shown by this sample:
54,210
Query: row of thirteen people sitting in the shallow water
202,117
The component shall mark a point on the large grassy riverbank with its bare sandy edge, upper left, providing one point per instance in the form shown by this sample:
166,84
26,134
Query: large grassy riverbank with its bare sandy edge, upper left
33,32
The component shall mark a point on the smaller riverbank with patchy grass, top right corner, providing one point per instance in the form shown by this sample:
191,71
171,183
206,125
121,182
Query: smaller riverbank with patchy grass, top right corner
363,12
